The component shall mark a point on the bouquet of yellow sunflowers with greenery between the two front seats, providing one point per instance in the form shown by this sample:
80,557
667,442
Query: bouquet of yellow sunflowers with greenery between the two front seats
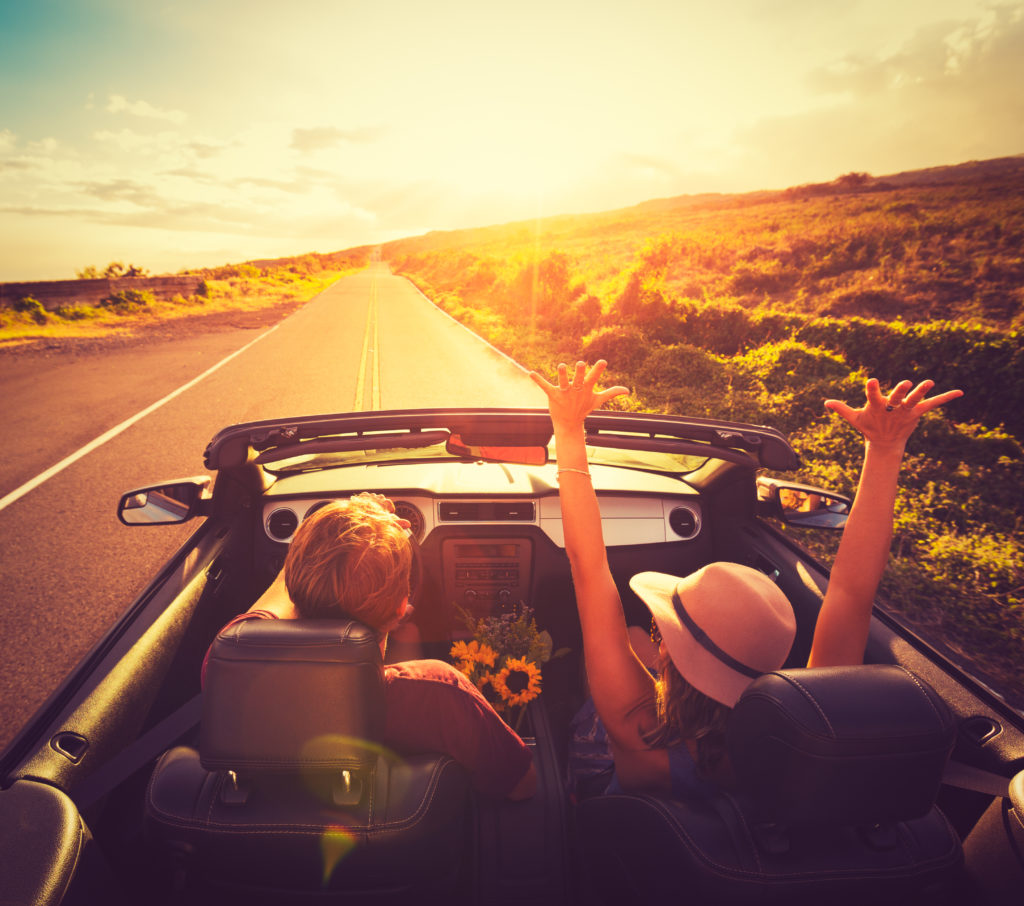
504,659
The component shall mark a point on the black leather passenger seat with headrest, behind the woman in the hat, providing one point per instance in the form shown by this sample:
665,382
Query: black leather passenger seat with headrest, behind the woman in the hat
837,773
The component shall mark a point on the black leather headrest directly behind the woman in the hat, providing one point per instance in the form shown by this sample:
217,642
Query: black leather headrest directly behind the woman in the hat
846,746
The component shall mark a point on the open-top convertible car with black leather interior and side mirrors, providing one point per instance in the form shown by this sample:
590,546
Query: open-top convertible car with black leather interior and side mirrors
901,781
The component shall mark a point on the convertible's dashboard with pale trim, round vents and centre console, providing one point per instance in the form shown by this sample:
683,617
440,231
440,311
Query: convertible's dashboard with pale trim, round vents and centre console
483,550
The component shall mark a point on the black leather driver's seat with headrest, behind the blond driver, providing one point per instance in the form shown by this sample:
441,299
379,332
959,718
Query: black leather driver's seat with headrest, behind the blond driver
291,793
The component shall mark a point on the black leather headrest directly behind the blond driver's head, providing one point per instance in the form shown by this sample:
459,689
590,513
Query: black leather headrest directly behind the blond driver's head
288,695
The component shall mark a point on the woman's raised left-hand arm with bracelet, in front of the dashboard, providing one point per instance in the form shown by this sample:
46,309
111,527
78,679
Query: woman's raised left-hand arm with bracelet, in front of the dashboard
623,691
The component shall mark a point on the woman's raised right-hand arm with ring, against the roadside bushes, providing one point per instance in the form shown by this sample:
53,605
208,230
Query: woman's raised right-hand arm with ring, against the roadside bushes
887,423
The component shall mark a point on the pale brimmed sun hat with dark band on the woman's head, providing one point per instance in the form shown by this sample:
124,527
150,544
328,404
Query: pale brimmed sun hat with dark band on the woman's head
723,626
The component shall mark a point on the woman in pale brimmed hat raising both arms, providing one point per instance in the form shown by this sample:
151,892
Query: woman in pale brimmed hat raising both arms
727,624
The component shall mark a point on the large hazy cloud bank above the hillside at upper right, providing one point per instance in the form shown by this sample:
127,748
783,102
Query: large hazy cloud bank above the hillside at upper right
951,94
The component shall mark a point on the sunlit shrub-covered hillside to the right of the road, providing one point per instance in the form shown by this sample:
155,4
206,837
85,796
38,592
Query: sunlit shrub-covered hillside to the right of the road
757,308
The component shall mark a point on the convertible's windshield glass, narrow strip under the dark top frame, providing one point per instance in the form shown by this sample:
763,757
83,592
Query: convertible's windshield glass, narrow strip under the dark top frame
669,463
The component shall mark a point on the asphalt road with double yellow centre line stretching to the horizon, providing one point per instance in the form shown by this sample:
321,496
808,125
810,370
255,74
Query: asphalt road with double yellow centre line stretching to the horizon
68,567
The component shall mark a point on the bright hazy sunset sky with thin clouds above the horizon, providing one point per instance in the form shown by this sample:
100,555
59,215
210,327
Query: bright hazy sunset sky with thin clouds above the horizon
202,133
